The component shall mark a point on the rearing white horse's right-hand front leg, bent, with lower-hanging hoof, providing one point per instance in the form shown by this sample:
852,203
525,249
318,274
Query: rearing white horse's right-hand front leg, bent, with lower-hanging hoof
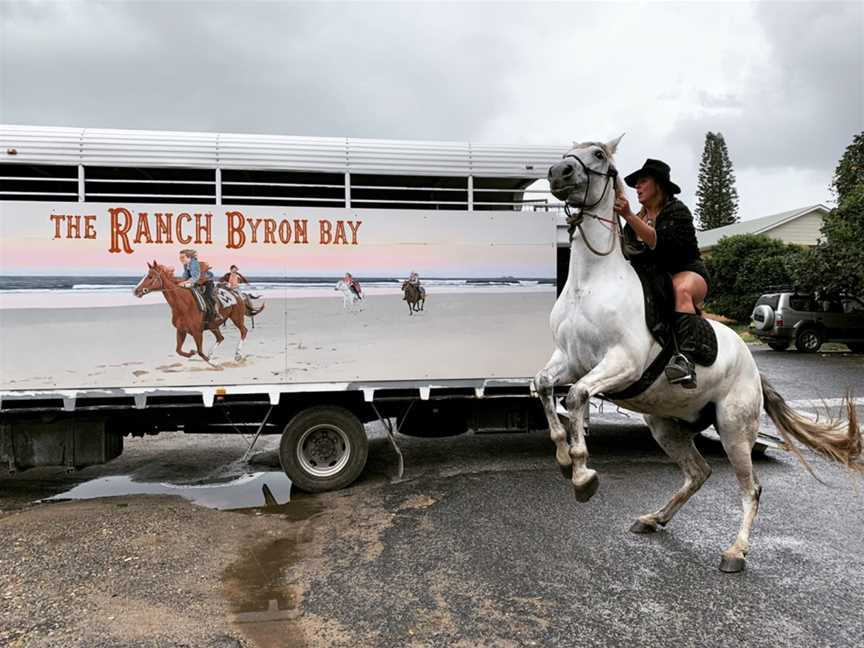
614,372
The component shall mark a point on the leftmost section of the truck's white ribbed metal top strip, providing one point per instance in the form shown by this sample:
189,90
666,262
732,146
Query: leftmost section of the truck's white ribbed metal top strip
40,145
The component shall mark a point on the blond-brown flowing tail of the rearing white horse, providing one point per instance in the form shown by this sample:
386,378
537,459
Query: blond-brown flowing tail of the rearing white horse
835,439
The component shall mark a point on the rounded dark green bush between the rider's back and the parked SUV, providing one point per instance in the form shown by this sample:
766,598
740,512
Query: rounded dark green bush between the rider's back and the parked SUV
743,267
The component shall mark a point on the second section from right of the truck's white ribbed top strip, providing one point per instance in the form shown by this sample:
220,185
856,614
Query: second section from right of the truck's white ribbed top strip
404,157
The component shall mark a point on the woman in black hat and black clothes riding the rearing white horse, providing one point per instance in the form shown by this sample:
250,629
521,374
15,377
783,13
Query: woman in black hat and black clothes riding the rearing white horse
664,231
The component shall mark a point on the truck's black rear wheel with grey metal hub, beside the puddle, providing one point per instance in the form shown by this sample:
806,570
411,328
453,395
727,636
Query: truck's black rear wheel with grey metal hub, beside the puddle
323,448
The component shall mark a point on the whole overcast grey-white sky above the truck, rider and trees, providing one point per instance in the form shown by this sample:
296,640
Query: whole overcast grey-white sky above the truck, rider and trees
783,81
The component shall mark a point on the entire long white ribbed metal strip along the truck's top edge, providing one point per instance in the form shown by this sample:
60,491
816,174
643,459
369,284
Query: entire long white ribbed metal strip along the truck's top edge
115,147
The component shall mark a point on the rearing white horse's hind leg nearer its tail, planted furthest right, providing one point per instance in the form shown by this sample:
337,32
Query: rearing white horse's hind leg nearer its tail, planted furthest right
738,434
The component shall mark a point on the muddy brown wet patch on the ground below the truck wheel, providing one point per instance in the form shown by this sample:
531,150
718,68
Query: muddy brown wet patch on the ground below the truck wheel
264,605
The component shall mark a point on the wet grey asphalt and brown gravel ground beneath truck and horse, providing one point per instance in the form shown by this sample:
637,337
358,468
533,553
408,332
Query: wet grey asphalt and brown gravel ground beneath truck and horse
481,544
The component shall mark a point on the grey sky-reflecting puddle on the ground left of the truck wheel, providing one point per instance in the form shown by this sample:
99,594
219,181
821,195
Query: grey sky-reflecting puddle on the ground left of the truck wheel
256,490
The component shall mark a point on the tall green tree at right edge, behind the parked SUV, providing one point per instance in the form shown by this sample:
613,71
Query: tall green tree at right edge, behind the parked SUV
837,263
